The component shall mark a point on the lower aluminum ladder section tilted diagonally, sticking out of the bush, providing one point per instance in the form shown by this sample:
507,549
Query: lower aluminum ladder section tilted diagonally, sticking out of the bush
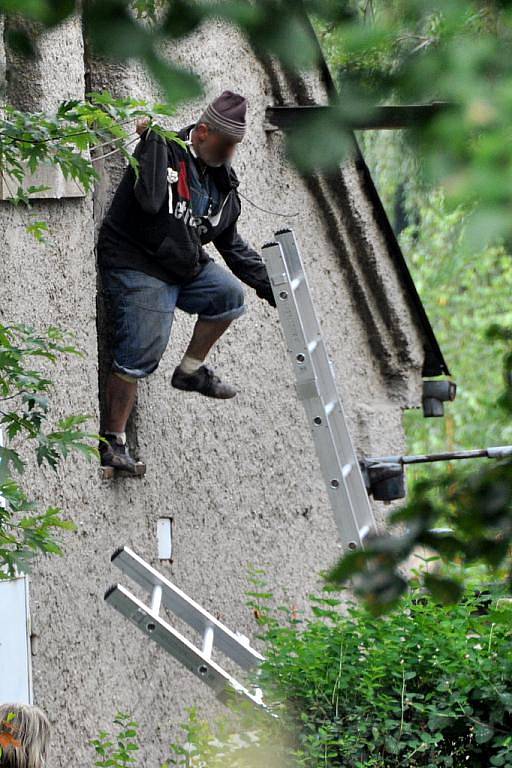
215,636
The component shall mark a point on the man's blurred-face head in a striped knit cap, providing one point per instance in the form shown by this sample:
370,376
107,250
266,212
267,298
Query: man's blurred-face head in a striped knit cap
220,128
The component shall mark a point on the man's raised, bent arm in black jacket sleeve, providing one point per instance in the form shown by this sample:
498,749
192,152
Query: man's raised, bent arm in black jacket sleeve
151,186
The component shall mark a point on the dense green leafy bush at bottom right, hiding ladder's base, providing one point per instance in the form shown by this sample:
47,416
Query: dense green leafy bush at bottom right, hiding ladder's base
427,685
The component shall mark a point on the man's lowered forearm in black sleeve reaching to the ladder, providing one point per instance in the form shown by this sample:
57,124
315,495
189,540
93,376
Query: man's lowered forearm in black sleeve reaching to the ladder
244,262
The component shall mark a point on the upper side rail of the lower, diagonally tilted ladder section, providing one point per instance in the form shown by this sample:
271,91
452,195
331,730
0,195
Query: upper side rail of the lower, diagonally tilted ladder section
176,601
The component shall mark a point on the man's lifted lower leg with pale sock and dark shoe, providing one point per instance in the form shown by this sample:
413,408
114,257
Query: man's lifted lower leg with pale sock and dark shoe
191,375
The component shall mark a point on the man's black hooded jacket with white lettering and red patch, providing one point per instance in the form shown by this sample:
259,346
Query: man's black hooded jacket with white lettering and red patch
150,226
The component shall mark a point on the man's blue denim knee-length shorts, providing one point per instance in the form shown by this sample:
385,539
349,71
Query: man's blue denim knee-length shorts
141,310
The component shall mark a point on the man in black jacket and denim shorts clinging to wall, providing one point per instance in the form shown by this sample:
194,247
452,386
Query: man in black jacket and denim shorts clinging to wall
151,260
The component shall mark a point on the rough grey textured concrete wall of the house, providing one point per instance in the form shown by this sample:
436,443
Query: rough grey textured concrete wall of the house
240,478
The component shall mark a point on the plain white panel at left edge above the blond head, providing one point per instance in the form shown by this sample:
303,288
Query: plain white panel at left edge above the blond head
15,661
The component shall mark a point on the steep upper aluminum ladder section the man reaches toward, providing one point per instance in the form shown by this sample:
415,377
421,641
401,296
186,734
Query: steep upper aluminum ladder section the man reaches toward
316,387
